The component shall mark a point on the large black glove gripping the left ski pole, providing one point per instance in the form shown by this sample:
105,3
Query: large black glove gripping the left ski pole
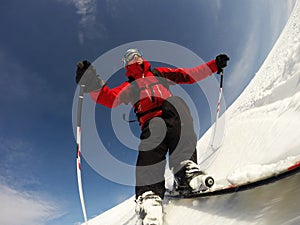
86,75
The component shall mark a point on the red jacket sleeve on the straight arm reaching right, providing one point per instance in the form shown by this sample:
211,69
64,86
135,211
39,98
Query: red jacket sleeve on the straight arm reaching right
189,75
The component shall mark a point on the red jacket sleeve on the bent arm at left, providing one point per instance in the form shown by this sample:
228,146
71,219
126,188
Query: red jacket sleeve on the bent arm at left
112,97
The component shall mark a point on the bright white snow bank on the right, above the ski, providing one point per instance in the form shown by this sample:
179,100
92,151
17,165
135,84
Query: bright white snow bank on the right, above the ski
262,125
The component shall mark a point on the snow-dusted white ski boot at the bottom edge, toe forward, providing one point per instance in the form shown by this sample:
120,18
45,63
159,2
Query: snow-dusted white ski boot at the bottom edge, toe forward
149,209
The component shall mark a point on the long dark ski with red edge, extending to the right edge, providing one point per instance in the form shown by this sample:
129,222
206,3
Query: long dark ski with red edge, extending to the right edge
227,189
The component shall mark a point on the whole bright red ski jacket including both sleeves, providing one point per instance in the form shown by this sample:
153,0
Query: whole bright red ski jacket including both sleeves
151,92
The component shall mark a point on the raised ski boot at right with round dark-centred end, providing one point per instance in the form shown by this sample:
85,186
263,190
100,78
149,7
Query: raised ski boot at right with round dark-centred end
192,179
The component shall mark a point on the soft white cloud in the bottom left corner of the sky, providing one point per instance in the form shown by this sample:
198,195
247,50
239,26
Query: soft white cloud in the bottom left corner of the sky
23,208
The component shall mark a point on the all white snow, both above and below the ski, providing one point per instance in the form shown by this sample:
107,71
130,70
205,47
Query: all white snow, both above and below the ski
262,131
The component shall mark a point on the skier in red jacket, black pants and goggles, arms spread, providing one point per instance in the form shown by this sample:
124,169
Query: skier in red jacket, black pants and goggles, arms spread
165,120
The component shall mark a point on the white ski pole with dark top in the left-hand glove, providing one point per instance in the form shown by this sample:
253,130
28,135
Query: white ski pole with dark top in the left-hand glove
78,155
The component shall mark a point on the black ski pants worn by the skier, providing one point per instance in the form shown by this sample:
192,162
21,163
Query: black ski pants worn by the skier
173,133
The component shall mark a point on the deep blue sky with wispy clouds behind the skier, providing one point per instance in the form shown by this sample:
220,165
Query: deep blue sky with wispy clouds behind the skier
40,43
